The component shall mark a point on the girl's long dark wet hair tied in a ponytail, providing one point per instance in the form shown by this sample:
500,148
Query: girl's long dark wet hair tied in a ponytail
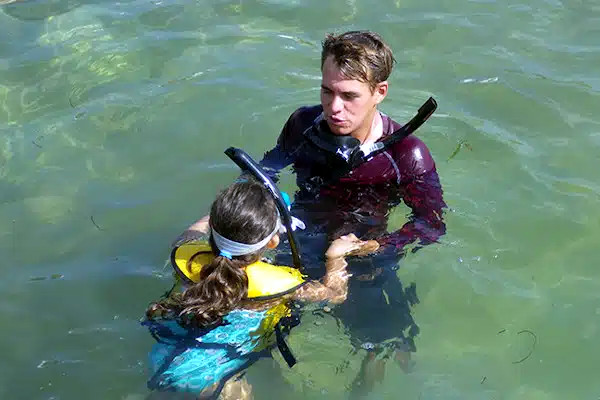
244,212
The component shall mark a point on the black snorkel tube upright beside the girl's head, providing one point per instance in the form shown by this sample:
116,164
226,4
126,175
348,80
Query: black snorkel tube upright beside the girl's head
247,164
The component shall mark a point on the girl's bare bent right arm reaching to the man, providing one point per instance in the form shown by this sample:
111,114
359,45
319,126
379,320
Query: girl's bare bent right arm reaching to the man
335,282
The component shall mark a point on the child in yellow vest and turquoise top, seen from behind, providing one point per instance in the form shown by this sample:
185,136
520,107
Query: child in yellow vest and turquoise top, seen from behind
235,305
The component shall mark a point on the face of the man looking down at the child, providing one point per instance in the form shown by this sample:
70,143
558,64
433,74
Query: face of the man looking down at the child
349,105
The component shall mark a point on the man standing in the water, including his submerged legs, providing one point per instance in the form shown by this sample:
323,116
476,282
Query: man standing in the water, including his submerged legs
336,198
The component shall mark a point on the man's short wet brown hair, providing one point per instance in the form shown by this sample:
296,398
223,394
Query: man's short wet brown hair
360,55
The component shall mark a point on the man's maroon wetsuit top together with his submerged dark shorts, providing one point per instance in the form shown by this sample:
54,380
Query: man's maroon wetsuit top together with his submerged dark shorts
378,306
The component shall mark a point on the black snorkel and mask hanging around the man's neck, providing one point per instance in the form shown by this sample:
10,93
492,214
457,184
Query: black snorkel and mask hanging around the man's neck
345,151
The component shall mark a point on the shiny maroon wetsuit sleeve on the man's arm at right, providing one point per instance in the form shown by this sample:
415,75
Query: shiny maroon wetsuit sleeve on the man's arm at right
420,189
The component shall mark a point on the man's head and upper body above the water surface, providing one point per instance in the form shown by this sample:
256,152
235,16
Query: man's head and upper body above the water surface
355,67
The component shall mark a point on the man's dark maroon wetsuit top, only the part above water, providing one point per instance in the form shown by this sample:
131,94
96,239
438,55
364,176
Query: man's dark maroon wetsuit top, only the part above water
361,200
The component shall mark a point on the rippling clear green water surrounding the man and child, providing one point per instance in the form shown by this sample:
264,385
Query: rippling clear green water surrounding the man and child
113,119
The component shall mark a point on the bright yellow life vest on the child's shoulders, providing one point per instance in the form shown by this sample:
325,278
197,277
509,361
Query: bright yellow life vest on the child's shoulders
265,281
